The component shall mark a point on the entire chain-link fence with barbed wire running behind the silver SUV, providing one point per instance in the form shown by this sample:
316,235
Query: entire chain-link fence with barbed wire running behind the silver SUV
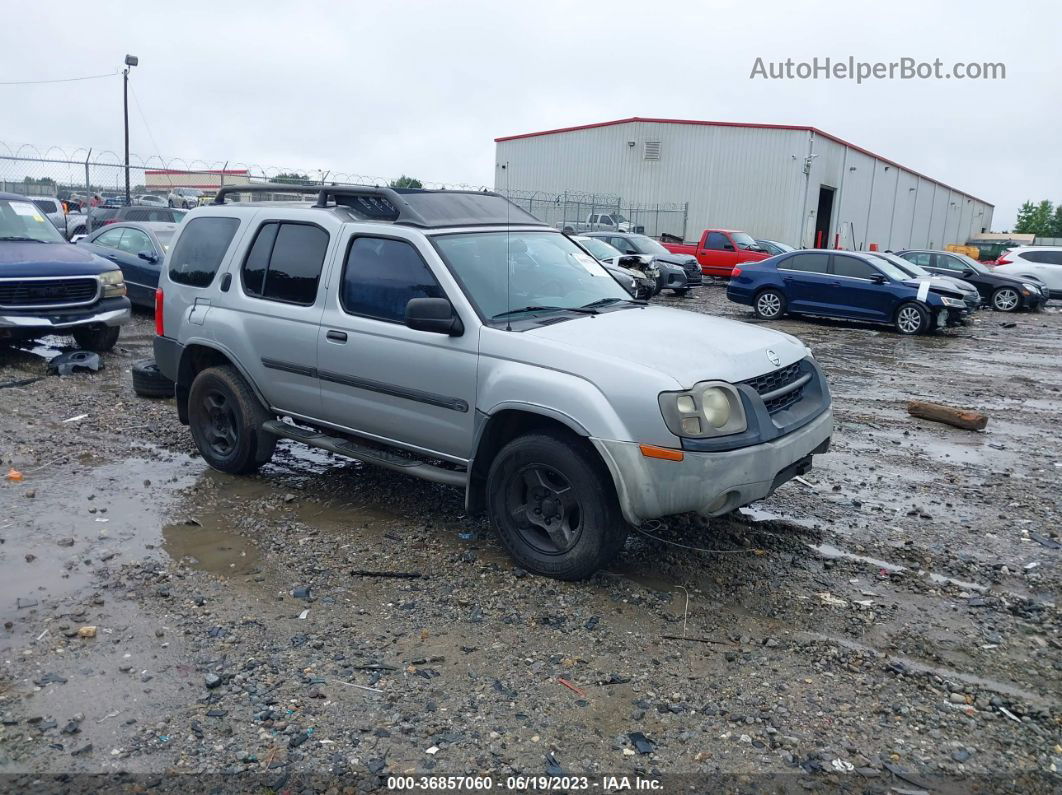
84,180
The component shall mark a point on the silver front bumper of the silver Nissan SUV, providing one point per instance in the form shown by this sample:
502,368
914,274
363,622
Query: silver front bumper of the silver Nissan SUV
711,483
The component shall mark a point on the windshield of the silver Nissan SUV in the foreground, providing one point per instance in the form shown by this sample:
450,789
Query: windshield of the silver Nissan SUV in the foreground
545,270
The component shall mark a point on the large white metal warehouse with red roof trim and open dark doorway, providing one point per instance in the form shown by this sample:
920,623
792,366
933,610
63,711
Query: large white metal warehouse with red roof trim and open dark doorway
794,184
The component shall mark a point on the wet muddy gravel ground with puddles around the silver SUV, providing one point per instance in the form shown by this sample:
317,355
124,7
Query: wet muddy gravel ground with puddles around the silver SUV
889,623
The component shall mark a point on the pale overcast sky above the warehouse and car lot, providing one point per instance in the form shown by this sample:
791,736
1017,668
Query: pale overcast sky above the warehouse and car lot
423,89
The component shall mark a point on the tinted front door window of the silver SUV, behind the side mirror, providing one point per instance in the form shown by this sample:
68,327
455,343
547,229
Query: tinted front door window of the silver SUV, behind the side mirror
382,276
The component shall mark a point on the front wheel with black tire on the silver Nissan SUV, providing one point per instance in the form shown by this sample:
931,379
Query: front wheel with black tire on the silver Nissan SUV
555,507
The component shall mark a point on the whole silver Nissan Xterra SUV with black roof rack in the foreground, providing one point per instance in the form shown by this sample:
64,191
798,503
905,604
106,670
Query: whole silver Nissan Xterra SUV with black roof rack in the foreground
453,337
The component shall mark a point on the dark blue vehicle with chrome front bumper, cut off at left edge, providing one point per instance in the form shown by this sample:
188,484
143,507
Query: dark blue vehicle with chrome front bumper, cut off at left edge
50,287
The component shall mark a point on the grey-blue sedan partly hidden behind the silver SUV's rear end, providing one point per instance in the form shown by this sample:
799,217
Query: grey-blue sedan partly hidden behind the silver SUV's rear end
139,249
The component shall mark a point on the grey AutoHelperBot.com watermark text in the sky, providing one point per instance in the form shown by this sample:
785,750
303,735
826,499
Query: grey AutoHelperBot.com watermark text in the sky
862,72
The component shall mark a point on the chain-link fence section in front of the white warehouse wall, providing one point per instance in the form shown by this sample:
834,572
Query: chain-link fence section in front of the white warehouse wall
574,212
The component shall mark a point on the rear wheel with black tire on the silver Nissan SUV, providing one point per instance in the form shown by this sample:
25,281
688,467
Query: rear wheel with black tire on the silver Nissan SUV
226,419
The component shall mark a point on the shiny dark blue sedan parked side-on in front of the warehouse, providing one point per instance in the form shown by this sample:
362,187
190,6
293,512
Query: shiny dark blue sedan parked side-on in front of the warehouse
847,285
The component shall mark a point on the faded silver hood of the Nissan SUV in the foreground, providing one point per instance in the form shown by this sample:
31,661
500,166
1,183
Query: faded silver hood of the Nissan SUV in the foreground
711,348
